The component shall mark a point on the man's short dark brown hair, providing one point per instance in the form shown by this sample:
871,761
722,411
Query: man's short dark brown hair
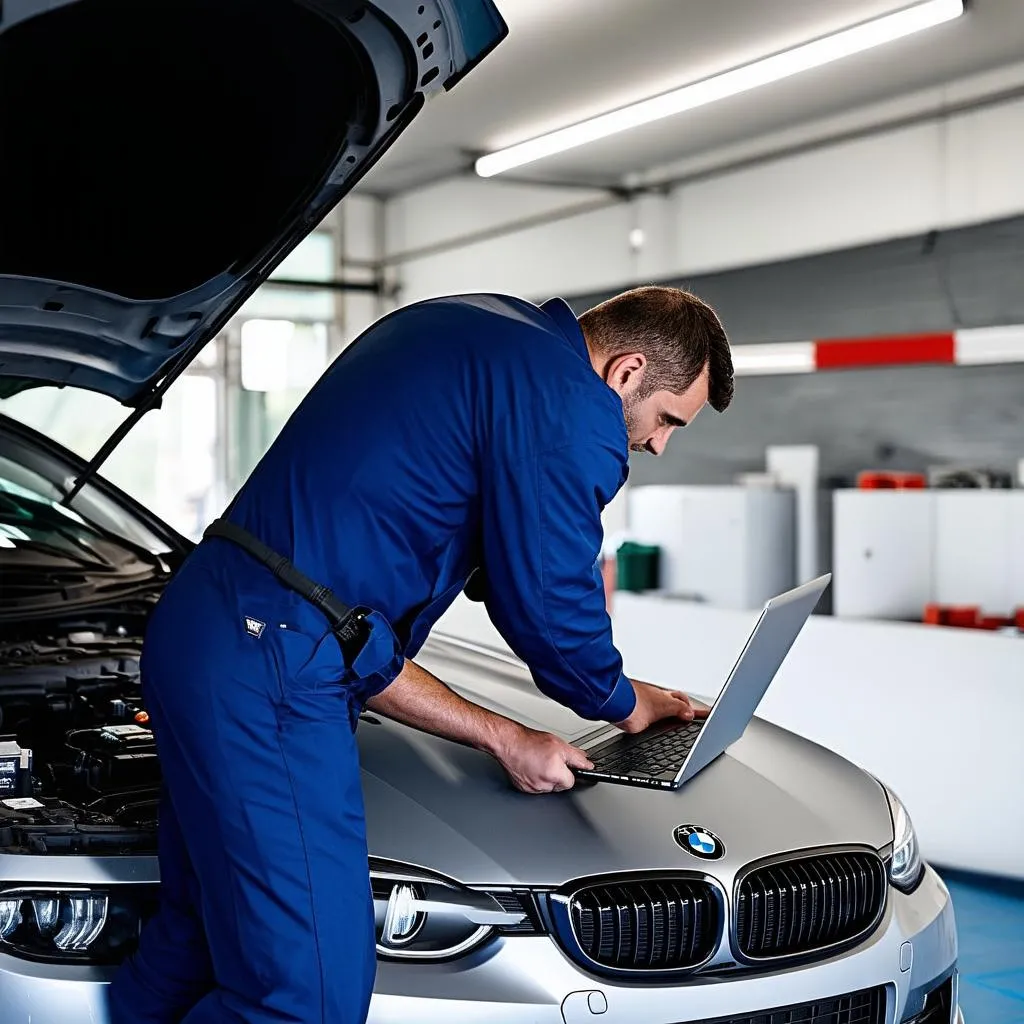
677,332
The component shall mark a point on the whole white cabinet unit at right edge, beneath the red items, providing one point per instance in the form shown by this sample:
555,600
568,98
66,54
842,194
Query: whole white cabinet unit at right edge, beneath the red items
897,551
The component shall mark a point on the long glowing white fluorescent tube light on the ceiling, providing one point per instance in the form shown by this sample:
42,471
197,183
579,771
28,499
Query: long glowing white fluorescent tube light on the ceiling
731,83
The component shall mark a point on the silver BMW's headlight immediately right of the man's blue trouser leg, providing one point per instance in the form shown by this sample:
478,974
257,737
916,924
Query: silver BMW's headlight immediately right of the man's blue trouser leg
423,917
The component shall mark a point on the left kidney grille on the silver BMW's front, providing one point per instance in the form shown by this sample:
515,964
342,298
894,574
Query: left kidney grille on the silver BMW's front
648,926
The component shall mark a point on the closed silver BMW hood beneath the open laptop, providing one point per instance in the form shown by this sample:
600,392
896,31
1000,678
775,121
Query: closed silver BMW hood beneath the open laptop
451,809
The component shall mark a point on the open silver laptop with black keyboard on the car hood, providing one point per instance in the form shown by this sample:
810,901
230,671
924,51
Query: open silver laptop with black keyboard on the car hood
671,753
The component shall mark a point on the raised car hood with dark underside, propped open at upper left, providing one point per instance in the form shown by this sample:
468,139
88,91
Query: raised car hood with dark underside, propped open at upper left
169,155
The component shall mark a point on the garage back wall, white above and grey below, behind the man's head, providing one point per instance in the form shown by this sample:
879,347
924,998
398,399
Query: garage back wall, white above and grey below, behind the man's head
874,233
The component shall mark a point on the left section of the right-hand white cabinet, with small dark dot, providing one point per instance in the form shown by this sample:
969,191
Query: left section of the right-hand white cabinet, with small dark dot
882,559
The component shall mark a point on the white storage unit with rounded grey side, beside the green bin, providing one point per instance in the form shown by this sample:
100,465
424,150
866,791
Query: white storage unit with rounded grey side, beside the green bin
731,547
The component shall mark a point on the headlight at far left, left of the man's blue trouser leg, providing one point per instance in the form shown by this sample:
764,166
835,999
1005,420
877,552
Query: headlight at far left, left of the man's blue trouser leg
72,925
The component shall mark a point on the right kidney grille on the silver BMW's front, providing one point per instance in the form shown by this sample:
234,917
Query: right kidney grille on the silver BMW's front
808,905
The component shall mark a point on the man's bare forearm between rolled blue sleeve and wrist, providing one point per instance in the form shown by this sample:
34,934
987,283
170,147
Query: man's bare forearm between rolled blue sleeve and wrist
420,700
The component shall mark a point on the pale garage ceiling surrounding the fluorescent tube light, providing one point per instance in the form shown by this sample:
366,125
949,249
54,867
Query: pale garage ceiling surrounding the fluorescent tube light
569,60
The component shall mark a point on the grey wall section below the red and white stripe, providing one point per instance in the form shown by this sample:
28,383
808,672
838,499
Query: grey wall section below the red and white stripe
901,419
